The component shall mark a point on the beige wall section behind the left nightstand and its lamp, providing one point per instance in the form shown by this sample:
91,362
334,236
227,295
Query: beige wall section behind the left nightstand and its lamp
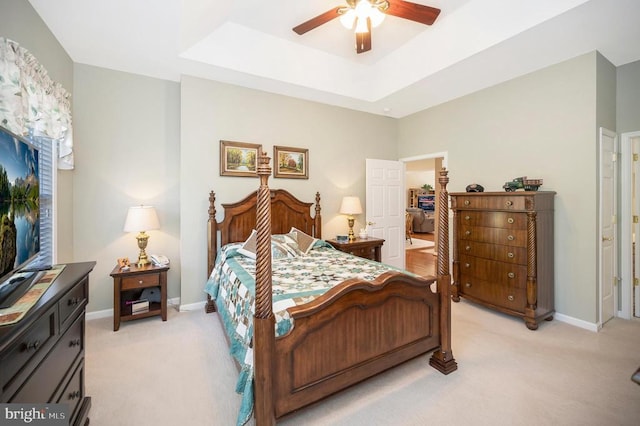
128,153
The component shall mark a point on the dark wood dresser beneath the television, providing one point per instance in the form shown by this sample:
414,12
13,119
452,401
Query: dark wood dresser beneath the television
42,355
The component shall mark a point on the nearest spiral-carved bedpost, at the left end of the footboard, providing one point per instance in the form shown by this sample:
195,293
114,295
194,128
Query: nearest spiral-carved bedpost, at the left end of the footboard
263,321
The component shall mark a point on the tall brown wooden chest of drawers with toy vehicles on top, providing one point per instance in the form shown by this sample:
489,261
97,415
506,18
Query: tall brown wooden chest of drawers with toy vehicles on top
503,252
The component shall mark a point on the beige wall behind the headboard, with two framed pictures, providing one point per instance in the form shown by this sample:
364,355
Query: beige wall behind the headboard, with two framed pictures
339,141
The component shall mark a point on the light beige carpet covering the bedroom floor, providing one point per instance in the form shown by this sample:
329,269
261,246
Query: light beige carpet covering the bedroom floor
179,373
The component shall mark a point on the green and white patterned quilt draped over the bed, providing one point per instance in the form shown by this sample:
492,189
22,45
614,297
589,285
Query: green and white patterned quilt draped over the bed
296,280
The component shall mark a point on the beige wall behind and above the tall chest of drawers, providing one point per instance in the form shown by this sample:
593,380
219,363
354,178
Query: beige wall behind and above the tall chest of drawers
541,125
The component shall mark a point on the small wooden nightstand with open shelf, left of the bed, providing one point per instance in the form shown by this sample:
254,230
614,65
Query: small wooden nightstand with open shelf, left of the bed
128,285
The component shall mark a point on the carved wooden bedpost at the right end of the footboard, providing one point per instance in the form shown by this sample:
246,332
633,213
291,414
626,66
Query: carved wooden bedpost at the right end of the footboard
442,359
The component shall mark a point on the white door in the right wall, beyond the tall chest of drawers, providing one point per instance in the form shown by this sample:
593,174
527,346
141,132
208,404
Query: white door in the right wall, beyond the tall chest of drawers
607,243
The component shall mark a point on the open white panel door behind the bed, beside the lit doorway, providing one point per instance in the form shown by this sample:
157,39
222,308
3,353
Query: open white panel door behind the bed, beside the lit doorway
385,207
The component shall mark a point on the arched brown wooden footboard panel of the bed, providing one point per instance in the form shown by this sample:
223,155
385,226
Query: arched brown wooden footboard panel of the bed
353,332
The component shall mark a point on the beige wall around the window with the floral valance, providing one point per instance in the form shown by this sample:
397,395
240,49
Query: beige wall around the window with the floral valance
20,22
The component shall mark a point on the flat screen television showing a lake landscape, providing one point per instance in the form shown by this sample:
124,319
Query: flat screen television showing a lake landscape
19,215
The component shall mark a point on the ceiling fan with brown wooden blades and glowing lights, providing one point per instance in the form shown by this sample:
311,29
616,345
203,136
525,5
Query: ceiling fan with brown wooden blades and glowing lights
365,14
